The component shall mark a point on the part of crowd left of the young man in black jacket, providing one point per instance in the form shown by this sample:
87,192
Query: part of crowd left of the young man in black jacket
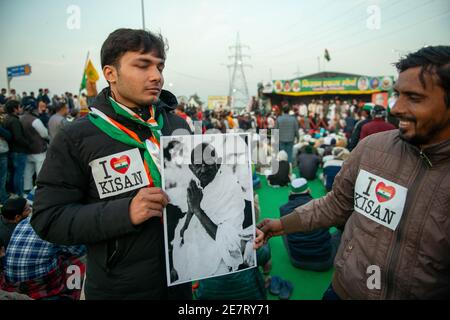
29,266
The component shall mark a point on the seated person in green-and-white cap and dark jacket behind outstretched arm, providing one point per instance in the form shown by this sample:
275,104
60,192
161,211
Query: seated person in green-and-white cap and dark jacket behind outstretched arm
314,250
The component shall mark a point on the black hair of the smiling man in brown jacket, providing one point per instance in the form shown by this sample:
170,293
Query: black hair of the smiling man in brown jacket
433,60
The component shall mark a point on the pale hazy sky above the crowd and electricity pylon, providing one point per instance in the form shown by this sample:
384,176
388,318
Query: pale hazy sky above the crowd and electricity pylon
284,36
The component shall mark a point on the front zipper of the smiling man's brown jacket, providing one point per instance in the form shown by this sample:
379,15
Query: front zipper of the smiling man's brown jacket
394,256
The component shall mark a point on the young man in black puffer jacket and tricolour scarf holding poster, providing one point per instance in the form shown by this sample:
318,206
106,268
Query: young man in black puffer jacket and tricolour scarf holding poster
99,185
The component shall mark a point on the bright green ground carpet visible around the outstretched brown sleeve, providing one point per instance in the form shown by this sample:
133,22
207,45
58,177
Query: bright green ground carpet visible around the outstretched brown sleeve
308,285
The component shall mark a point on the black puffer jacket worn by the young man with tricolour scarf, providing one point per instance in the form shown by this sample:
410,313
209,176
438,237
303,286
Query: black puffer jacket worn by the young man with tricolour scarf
124,261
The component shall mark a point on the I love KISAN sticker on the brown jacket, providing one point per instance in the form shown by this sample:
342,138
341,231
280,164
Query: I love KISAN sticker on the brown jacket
380,200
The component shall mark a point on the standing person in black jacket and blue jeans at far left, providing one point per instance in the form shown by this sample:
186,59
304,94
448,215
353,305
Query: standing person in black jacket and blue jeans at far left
19,145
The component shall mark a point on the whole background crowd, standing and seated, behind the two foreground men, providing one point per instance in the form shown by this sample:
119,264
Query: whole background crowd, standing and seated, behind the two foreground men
28,125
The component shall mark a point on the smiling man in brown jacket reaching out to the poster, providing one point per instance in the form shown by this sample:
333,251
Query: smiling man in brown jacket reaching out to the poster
393,194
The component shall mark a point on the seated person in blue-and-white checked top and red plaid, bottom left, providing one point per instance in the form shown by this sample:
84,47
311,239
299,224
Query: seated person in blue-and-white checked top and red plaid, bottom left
40,269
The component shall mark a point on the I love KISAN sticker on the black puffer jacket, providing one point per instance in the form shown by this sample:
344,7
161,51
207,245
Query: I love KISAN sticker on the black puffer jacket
119,173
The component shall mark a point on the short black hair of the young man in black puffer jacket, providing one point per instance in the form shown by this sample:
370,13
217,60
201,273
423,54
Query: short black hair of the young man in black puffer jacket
123,40
